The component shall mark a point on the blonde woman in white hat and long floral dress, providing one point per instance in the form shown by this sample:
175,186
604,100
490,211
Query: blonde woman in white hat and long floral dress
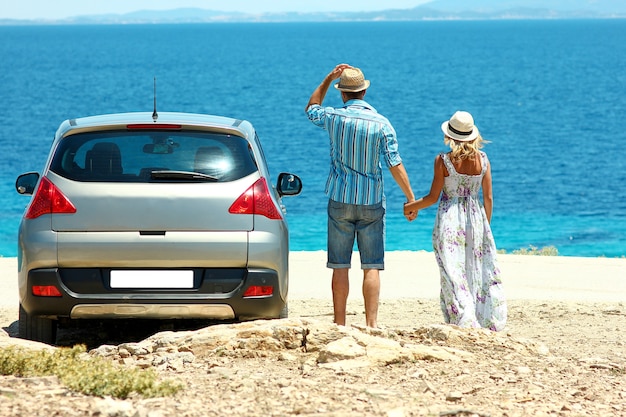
471,290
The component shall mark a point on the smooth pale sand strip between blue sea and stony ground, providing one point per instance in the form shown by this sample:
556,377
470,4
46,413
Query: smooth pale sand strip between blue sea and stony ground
415,275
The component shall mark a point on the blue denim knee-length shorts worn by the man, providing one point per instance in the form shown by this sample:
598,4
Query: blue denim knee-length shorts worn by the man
367,224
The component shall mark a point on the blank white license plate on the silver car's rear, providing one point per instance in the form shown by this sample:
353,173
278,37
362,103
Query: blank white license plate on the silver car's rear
151,279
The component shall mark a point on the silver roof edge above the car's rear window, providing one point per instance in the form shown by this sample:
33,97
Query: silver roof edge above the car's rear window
187,121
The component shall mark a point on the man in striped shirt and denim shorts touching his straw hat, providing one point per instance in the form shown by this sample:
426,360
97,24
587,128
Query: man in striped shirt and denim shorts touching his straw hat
360,139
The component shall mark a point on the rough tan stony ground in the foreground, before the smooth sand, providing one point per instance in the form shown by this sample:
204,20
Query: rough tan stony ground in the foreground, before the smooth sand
553,359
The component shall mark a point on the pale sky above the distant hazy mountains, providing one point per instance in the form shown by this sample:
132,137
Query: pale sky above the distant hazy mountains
58,9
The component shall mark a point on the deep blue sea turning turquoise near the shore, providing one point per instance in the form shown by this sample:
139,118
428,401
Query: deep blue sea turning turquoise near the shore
548,95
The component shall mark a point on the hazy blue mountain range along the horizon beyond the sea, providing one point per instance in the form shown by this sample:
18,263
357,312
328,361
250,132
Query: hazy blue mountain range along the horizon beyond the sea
433,10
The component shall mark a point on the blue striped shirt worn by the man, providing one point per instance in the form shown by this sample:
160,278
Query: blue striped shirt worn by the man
360,138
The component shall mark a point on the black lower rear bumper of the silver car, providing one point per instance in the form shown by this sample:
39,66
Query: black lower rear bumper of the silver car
85,293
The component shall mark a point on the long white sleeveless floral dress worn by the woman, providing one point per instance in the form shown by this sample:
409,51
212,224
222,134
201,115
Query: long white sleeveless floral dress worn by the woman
471,289
